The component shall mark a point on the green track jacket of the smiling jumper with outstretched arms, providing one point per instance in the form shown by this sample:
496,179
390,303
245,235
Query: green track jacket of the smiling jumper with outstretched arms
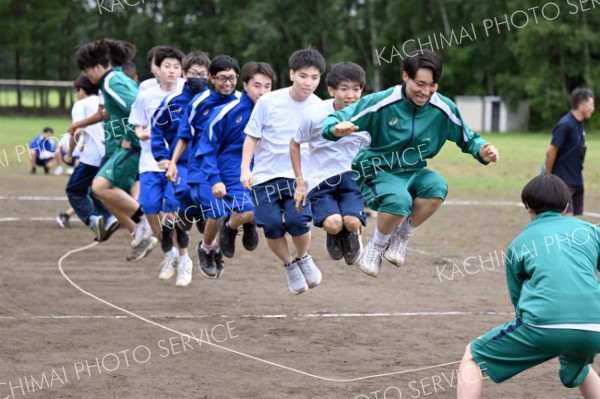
403,135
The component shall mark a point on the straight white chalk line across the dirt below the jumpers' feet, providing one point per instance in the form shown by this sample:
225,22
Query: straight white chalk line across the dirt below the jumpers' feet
257,316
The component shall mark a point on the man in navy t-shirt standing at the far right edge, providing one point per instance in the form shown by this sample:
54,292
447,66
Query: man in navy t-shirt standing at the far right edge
566,153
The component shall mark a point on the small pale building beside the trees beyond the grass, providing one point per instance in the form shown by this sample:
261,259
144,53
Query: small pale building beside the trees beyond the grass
491,114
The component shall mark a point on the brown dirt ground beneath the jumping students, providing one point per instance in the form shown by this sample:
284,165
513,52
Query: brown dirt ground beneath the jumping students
58,342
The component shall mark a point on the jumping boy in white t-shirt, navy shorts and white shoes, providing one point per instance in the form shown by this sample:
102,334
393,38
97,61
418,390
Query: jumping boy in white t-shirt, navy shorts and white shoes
273,123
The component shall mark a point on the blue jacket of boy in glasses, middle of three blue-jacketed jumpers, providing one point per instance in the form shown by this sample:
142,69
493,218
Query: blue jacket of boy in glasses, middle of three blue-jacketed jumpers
191,129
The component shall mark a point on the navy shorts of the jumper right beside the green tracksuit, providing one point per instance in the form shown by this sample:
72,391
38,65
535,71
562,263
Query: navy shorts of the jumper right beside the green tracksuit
337,195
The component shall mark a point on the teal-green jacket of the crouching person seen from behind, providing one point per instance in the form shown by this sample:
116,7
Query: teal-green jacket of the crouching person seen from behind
551,271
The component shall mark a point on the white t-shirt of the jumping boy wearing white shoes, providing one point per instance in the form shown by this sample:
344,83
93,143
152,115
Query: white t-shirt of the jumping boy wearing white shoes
273,122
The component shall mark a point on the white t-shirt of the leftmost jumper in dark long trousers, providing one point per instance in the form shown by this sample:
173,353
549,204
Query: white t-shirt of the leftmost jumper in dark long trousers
92,140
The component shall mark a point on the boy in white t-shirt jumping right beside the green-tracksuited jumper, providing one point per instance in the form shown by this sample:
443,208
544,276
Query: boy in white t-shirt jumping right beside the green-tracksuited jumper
335,199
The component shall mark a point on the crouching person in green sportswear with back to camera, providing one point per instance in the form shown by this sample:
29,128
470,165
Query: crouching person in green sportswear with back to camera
551,271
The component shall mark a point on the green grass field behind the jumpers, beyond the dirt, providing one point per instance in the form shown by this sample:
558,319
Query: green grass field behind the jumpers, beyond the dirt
521,157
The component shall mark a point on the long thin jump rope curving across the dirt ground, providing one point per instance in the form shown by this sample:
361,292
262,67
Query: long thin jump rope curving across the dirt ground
242,354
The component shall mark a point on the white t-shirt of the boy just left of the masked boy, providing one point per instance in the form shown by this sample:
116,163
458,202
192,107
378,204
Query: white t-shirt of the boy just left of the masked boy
141,114
